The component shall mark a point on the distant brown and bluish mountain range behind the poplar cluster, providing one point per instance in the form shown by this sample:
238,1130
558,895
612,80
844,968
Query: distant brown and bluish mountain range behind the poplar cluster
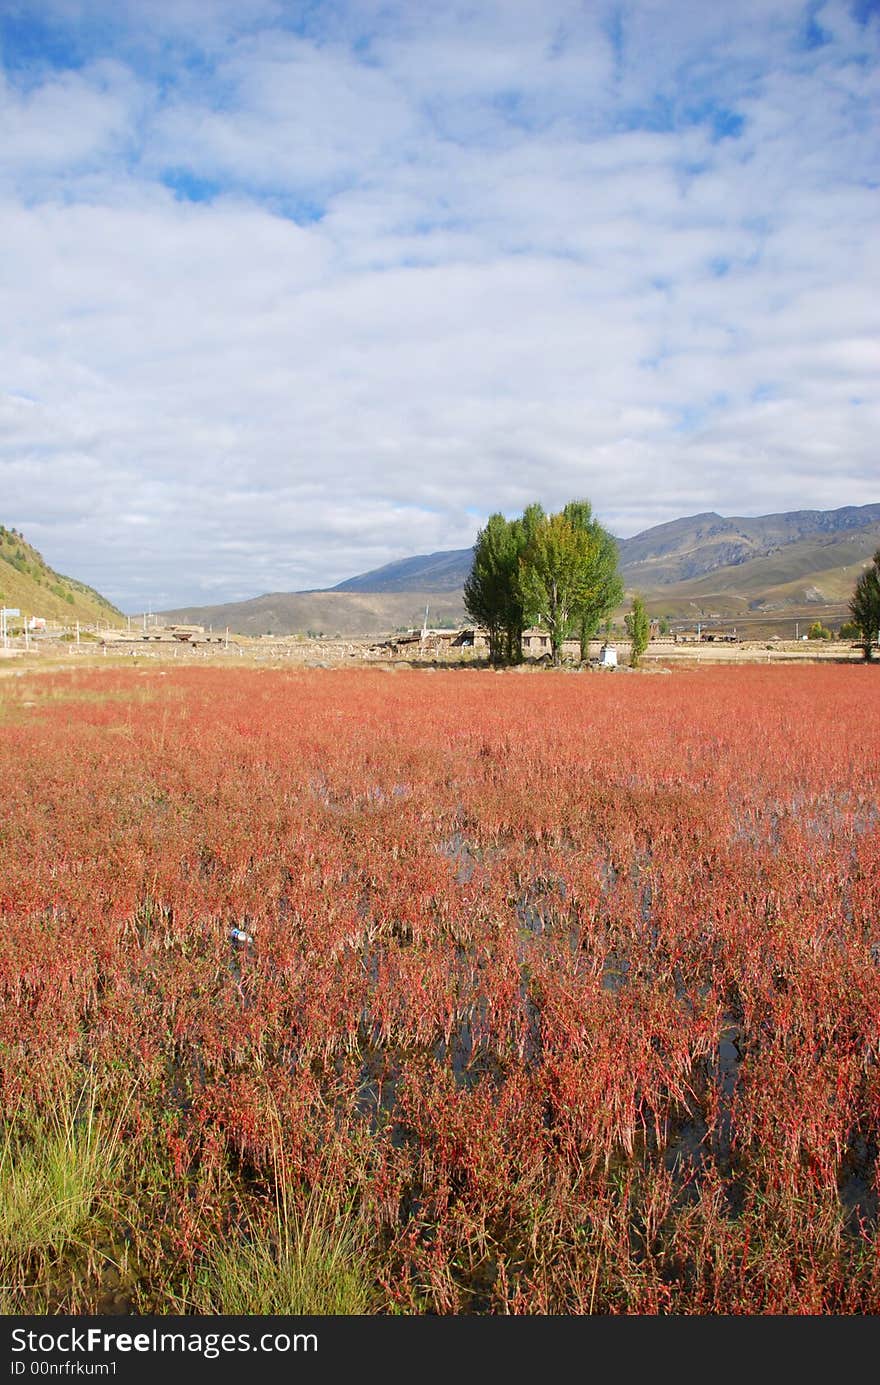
756,573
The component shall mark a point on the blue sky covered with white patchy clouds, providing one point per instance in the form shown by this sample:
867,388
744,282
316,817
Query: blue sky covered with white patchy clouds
290,290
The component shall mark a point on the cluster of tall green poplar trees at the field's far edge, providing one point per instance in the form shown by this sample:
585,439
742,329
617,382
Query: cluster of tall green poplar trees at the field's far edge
556,571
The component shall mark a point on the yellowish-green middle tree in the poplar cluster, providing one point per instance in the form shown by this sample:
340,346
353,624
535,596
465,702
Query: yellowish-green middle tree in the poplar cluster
558,577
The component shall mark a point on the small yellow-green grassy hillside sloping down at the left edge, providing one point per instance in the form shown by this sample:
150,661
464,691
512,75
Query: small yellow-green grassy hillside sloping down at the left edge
30,584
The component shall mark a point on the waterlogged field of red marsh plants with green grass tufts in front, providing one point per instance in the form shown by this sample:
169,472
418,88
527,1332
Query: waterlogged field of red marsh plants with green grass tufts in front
552,994
